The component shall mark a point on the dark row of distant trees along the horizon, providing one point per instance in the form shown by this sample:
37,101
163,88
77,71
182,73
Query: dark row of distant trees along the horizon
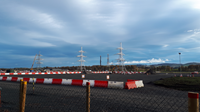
189,68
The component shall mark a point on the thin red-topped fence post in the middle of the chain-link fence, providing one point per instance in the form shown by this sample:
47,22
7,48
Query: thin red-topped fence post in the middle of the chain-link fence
88,97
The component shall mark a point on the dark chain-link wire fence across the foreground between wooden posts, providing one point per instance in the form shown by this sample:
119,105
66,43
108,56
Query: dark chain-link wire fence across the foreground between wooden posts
62,98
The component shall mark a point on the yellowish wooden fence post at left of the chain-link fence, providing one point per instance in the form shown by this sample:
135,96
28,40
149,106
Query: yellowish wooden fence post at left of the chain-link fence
23,96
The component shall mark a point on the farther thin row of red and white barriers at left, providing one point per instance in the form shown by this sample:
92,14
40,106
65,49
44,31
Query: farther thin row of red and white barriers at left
39,73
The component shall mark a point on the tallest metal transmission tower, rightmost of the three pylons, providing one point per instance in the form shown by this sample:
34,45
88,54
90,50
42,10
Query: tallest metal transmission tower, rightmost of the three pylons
121,59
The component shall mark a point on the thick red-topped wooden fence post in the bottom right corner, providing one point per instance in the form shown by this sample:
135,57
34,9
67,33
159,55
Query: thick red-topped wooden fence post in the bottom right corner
193,102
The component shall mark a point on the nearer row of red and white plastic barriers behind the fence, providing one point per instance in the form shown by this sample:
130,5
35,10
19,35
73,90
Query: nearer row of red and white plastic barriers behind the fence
130,84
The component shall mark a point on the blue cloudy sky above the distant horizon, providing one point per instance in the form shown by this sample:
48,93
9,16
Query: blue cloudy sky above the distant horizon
151,31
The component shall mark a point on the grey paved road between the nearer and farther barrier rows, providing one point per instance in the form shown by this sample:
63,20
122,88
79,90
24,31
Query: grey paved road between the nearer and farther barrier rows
113,77
